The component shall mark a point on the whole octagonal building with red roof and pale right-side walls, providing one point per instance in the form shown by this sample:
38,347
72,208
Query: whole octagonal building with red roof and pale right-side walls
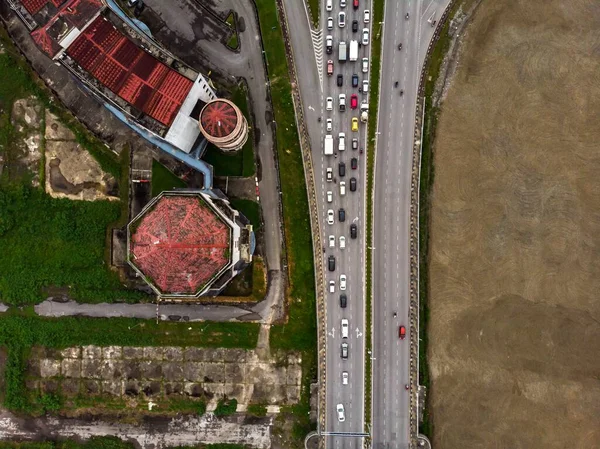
187,244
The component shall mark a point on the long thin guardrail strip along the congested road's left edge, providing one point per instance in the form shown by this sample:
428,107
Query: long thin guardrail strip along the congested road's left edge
314,217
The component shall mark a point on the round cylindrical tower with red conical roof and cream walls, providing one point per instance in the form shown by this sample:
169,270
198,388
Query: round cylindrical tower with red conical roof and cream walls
223,124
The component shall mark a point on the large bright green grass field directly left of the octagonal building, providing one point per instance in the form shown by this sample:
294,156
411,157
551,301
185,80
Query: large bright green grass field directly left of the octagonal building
48,242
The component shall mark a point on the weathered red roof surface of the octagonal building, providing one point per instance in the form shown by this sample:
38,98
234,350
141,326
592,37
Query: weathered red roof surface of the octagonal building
179,244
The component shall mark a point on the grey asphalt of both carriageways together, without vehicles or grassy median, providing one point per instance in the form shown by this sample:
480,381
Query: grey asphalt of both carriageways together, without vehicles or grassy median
393,164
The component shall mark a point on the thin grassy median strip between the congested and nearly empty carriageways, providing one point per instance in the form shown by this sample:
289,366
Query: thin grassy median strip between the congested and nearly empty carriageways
374,78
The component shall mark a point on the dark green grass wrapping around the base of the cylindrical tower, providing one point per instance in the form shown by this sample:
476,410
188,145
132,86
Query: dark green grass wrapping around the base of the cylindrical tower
241,163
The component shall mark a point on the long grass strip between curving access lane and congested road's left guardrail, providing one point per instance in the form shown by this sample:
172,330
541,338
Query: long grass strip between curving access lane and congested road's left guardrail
300,332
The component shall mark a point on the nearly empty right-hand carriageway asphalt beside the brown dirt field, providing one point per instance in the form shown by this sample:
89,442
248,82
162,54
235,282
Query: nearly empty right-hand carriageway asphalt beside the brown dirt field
395,138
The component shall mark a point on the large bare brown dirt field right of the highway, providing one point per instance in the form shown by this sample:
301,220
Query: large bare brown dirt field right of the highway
515,237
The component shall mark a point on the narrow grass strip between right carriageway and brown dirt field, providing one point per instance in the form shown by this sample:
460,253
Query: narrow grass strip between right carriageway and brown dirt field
433,69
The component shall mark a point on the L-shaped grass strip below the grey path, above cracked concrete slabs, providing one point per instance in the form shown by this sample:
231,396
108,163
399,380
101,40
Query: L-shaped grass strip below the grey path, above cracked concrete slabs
20,331
